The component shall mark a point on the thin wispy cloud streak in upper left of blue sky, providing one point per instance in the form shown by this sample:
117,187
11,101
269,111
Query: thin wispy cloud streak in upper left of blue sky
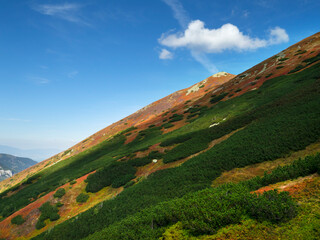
66,11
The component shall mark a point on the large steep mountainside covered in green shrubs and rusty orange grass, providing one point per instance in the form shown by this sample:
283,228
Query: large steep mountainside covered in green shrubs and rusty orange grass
231,157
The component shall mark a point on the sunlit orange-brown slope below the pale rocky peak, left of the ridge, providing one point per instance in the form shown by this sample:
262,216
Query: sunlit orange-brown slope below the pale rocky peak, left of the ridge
139,119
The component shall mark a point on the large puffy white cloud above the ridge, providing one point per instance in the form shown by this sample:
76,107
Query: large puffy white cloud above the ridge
200,39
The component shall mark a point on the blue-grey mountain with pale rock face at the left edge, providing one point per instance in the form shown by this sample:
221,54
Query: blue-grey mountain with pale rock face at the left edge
10,165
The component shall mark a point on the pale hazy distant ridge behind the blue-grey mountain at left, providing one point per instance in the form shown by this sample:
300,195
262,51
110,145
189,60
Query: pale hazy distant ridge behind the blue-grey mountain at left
36,154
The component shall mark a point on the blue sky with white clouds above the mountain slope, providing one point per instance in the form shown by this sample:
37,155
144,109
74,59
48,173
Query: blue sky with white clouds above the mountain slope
71,68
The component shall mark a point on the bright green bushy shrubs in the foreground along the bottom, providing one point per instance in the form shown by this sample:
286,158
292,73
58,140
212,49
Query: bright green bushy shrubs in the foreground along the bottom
206,211
